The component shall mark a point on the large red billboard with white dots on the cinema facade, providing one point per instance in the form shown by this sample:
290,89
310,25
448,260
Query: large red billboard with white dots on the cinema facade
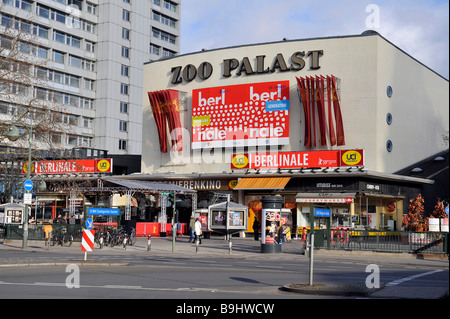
241,115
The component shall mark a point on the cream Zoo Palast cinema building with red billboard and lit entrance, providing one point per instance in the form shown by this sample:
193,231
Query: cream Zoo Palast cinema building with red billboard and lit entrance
323,121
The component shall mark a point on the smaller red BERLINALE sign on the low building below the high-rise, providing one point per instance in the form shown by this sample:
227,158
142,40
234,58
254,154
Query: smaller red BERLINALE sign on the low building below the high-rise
70,166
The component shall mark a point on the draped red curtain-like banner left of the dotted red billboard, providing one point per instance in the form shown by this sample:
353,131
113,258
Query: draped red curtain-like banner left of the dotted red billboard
166,112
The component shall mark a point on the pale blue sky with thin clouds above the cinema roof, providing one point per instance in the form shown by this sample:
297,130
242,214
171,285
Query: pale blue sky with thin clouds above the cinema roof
419,27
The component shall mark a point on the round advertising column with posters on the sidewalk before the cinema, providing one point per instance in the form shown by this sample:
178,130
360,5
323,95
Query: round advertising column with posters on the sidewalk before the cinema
270,224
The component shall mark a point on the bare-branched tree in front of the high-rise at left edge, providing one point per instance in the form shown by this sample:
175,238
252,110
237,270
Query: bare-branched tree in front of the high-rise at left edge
27,100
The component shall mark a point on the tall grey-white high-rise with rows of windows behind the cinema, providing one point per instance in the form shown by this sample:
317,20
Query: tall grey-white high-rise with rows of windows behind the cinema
94,53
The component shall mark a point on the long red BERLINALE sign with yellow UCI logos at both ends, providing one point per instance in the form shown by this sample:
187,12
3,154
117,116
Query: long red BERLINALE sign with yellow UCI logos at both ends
290,160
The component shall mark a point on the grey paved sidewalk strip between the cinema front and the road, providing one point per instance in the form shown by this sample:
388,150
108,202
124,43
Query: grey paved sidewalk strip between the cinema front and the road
243,248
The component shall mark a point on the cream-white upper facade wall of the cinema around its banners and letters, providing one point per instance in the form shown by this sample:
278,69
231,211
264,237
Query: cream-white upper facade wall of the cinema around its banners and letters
365,66
